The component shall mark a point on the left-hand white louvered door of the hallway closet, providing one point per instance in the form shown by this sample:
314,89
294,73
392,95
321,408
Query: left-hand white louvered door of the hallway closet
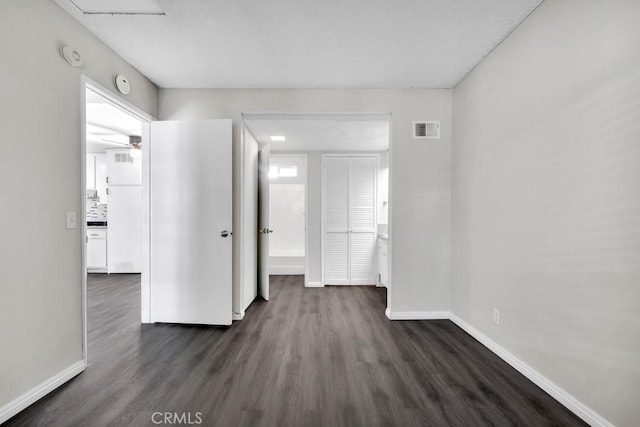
336,238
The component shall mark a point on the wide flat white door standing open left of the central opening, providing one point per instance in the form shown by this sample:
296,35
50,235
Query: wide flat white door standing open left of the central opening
190,222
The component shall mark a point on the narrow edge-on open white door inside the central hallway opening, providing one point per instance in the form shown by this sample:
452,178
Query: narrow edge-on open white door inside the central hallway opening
263,222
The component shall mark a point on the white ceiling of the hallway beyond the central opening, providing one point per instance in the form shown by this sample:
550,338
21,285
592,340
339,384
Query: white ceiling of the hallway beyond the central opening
327,133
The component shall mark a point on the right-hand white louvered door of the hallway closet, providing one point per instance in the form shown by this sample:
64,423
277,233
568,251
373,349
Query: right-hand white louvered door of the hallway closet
362,217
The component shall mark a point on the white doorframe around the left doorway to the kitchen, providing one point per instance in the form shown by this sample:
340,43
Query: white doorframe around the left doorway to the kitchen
146,119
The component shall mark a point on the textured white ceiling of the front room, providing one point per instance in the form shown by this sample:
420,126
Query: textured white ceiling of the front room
303,43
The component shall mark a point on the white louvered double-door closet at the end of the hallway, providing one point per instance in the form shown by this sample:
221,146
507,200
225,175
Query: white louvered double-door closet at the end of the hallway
349,219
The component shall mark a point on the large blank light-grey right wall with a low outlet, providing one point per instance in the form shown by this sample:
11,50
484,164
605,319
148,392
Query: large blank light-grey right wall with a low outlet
546,199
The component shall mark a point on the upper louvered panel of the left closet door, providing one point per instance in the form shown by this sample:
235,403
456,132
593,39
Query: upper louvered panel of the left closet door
336,194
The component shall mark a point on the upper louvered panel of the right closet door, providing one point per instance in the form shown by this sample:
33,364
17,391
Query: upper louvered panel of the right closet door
362,193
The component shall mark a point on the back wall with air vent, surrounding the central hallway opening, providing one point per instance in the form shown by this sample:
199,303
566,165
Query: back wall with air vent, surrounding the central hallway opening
419,175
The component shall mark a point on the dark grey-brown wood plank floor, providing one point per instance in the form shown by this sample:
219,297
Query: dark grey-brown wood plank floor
309,357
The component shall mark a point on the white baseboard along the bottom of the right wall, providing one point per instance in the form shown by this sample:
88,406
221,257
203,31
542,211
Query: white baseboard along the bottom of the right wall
574,405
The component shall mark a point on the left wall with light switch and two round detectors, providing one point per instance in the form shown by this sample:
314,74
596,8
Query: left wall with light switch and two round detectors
40,176
